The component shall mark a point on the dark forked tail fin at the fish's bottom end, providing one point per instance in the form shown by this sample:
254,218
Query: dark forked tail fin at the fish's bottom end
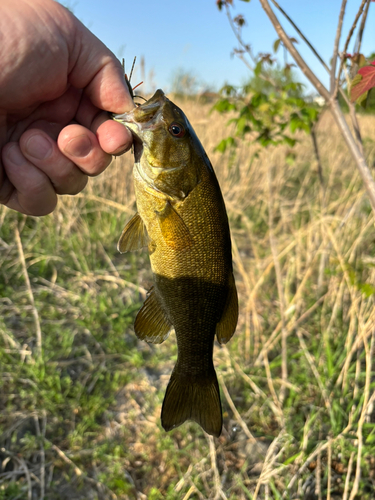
187,399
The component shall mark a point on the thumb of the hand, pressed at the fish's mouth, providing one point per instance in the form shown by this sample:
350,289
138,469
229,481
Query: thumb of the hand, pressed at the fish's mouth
94,68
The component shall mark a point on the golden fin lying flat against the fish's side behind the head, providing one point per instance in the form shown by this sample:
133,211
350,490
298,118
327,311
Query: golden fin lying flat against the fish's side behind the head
173,228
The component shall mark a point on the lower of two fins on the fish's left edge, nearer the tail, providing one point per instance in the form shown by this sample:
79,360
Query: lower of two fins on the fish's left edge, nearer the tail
151,323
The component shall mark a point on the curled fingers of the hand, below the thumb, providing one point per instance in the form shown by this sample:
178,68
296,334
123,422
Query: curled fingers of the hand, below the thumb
37,168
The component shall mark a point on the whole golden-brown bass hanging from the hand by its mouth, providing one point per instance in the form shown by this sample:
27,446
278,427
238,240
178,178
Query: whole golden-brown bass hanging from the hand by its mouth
181,218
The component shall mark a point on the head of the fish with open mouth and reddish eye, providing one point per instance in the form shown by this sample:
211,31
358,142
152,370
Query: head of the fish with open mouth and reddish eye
166,149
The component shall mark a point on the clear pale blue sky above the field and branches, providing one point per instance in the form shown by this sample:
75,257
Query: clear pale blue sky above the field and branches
194,36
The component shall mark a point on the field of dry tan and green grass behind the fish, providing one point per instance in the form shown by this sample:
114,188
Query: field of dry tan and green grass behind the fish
80,396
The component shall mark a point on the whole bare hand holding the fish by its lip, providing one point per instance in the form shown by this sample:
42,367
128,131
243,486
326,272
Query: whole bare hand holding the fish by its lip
56,78
